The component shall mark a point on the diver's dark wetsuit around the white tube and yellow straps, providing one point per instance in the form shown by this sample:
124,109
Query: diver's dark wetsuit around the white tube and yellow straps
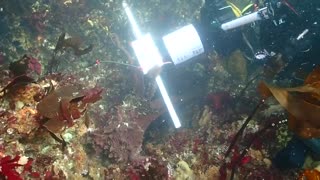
295,15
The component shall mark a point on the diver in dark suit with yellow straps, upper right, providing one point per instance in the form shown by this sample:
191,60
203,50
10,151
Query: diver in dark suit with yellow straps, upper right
292,29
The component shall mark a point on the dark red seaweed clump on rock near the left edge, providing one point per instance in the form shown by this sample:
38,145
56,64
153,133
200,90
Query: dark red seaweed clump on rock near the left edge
24,66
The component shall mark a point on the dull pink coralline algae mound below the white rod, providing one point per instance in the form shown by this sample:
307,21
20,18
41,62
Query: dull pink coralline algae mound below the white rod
122,138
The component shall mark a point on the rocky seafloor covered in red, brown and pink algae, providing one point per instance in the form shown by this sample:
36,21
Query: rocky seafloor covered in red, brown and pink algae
75,104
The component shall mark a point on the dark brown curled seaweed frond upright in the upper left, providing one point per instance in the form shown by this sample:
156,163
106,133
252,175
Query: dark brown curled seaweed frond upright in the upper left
74,43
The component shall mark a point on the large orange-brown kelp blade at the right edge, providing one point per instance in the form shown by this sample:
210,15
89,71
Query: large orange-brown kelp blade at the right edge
304,108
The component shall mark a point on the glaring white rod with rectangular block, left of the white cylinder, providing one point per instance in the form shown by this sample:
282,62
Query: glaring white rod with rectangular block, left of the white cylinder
149,57
